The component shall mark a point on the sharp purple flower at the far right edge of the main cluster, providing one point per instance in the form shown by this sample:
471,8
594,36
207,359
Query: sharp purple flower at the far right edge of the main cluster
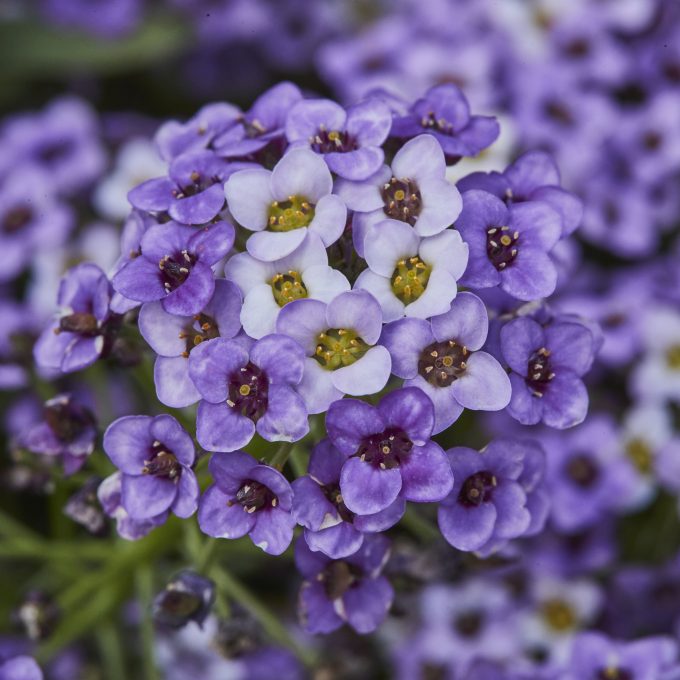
547,364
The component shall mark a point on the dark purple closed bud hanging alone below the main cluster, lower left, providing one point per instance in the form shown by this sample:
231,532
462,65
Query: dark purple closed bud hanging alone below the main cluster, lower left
187,596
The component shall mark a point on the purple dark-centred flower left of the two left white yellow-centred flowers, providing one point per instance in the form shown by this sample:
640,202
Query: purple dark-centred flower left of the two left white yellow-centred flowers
175,266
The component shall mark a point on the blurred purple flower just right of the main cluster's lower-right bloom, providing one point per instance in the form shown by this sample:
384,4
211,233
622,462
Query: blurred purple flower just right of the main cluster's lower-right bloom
587,476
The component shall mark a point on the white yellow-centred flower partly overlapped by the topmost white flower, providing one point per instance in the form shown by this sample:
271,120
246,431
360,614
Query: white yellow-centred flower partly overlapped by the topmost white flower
269,286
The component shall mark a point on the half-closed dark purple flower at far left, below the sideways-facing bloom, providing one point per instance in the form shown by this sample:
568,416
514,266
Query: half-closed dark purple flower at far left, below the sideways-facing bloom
68,430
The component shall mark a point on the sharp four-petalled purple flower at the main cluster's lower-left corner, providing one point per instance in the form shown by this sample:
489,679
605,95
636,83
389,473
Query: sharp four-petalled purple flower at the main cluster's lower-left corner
155,456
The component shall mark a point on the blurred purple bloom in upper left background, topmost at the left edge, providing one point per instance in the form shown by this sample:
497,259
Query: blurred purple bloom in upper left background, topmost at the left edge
62,141
